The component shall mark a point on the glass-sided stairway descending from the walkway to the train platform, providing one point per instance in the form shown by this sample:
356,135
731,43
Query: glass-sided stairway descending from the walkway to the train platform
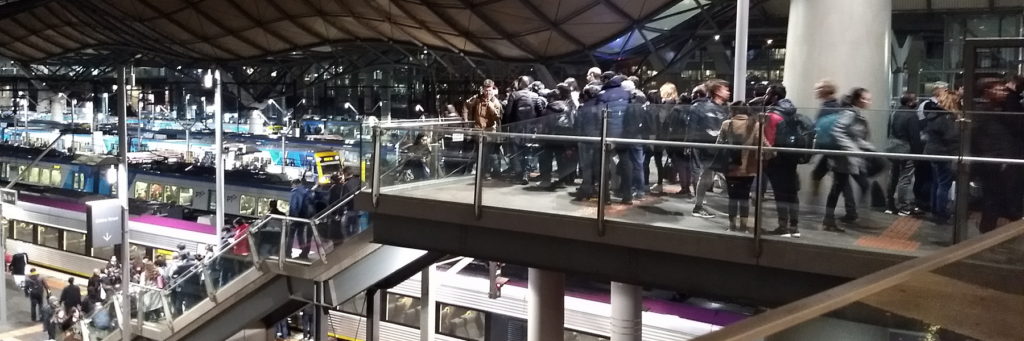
222,295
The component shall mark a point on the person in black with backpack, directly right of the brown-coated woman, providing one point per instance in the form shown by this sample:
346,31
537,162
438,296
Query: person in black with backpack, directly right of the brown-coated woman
786,129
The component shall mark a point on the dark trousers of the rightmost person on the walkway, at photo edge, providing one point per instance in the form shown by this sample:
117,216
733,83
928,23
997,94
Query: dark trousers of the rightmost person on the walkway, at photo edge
1002,187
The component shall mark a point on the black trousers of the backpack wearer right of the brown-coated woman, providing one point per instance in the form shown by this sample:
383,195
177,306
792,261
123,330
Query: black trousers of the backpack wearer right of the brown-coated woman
786,186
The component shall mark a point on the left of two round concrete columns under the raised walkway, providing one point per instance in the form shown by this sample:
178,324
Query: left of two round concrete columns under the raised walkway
546,310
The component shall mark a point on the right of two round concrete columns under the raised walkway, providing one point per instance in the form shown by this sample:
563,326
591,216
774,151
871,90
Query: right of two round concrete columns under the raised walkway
627,306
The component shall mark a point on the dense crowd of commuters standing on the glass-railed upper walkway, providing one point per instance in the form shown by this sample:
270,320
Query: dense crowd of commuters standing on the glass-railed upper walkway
709,115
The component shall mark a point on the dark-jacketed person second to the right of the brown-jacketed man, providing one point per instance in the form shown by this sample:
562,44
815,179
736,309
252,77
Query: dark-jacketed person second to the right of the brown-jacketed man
560,119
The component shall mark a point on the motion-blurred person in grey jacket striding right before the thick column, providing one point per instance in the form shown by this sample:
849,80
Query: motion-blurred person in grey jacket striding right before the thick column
851,134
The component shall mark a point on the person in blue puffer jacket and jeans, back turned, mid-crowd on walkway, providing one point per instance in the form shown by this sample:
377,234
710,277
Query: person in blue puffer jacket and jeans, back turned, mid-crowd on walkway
616,101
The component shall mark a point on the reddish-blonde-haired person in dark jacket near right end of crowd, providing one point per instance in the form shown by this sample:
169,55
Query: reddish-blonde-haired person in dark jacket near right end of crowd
943,139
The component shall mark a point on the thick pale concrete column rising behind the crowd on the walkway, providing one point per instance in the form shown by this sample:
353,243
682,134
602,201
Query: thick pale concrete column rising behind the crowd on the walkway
845,41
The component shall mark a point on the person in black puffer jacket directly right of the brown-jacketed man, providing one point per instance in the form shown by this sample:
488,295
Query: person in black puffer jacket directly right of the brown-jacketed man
524,106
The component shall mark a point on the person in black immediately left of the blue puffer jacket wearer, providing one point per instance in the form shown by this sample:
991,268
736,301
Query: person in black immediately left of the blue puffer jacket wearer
588,123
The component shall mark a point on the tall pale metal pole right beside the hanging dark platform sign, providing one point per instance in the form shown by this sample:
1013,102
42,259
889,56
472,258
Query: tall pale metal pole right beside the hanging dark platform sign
123,198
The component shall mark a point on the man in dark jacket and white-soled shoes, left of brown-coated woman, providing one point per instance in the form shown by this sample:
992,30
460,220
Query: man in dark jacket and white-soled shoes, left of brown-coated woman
706,119
